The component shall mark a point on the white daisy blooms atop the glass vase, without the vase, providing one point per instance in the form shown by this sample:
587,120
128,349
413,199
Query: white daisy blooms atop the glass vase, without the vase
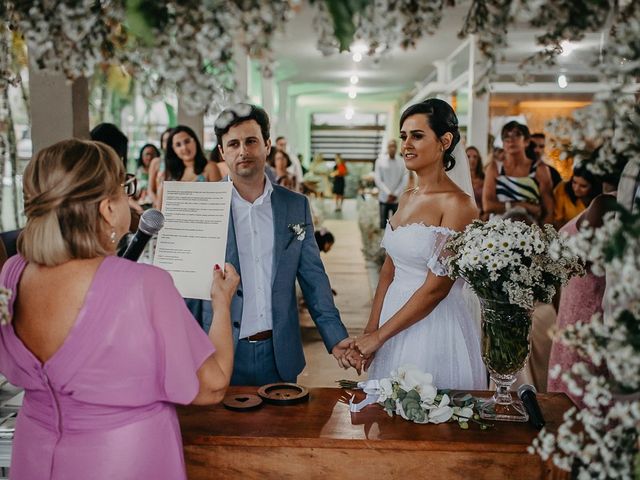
511,262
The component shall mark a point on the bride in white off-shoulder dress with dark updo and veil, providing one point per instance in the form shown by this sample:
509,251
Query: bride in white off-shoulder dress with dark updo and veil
419,315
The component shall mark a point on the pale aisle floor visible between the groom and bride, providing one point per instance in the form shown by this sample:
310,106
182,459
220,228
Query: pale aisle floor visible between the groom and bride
347,272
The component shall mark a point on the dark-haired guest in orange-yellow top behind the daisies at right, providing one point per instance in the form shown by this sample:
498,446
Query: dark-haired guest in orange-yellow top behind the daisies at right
573,197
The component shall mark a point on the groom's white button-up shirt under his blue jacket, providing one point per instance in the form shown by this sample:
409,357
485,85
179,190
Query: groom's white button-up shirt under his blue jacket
253,223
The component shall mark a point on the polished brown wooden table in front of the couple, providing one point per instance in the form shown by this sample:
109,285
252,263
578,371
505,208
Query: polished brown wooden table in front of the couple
322,439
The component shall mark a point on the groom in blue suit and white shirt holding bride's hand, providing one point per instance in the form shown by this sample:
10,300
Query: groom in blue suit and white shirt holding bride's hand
271,243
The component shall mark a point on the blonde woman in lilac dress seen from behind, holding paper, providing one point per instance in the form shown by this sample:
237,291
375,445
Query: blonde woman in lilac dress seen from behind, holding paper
104,347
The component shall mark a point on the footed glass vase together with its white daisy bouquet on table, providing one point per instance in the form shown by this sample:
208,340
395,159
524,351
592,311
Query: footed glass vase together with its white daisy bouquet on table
510,265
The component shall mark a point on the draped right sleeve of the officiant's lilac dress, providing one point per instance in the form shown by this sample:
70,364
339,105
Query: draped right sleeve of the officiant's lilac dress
182,345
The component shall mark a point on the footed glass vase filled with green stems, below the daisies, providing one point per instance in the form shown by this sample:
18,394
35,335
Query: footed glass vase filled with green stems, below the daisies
505,349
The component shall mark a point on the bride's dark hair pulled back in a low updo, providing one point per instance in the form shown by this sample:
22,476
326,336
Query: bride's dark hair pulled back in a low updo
441,119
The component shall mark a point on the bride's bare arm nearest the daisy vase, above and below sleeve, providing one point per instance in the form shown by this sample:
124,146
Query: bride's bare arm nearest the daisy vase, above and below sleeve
427,297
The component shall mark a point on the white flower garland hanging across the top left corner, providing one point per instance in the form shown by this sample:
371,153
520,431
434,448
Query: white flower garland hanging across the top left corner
173,45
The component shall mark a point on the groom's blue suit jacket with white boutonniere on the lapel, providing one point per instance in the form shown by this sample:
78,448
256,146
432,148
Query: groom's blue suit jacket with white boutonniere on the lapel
292,258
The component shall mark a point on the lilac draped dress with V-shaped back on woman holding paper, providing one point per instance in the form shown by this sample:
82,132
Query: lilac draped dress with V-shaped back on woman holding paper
103,406
